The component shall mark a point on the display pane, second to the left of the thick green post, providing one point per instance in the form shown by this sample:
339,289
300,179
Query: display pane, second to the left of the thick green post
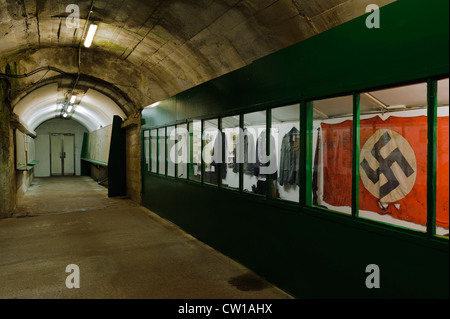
253,154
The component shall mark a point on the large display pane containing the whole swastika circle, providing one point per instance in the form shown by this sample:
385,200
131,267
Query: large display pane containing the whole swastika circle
393,158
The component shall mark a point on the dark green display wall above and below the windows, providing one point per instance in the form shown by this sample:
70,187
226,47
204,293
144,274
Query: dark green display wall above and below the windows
309,252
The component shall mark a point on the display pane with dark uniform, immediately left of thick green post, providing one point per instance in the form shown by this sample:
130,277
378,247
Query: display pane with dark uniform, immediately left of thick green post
286,133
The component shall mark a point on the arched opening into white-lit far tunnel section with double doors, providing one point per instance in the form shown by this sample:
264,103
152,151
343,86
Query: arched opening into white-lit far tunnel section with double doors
69,126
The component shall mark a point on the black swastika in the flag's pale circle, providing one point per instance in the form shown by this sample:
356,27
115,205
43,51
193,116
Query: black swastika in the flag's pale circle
385,166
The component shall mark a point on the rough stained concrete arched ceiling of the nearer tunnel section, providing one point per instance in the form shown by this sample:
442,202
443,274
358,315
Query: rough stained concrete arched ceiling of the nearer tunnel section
153,49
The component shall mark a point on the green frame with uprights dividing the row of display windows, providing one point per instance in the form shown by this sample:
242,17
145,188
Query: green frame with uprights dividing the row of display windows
306,105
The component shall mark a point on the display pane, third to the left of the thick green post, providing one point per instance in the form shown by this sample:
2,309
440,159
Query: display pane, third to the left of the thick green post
230,170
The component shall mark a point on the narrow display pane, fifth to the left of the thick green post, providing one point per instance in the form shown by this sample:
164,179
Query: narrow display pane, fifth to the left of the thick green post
195,170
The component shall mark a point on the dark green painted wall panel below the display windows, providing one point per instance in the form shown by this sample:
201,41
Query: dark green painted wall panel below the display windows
306,254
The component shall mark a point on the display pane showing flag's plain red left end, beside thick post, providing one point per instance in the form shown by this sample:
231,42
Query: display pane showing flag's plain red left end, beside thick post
332,154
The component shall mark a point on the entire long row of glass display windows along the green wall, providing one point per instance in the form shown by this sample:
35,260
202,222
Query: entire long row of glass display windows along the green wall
395,172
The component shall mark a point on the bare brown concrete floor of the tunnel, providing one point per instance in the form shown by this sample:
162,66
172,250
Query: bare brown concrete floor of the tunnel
123,251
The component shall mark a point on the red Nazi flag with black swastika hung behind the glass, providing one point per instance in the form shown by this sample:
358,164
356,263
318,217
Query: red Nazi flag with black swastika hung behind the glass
393,167
